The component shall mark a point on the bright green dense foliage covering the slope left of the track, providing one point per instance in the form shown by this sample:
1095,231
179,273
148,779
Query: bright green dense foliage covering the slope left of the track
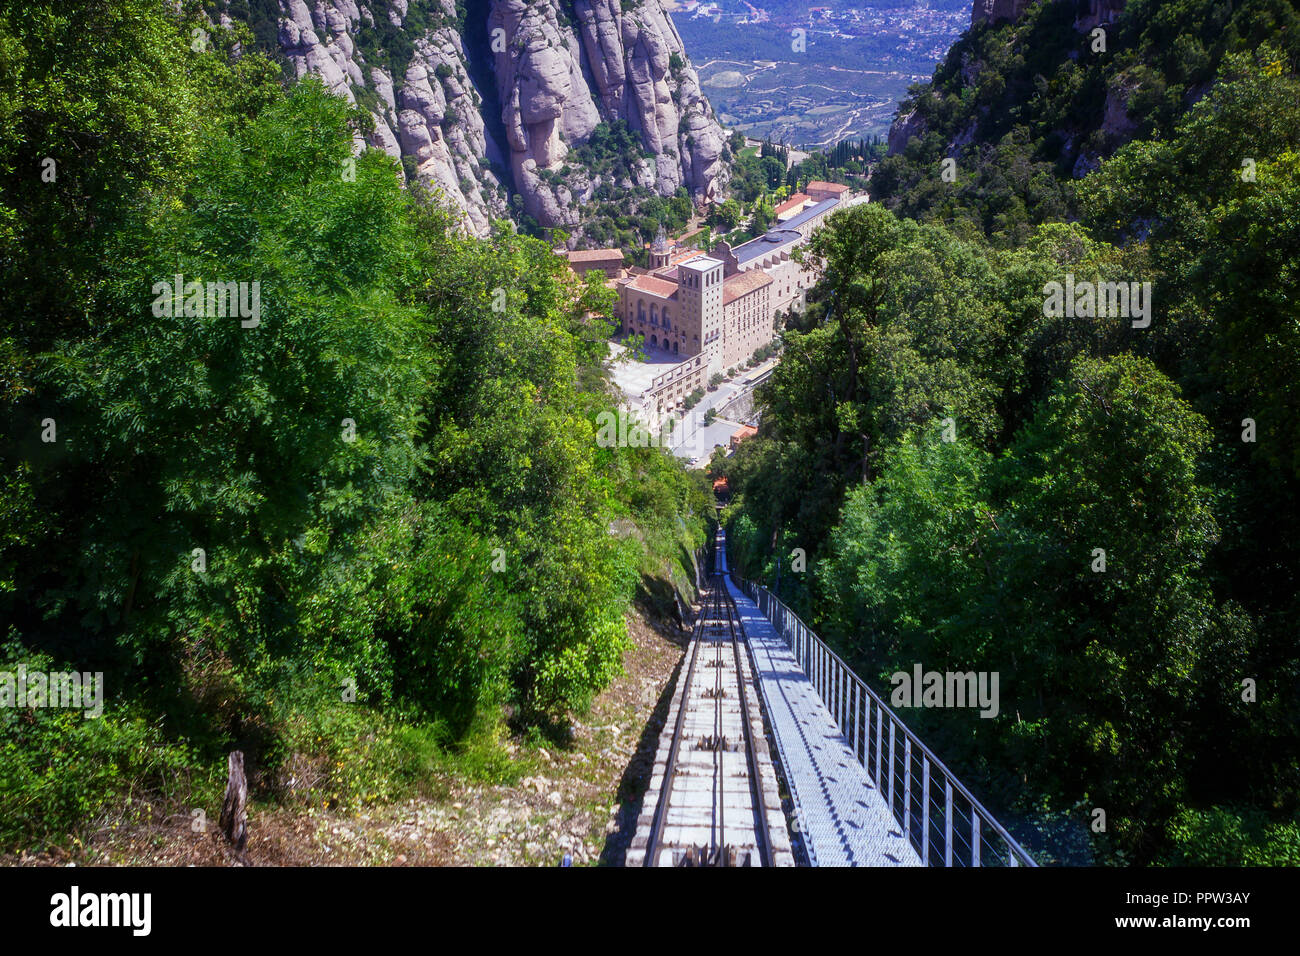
354,526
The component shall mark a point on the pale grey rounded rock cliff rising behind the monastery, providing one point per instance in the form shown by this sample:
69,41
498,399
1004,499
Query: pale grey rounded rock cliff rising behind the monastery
487,101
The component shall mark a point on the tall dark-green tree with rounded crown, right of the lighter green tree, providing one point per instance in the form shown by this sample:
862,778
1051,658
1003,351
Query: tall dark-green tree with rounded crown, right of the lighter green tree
1110,620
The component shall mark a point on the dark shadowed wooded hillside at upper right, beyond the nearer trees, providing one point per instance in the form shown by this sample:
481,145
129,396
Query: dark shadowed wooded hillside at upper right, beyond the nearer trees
1026,109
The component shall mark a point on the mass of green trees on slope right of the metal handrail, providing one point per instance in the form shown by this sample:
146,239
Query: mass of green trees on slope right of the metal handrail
1103,514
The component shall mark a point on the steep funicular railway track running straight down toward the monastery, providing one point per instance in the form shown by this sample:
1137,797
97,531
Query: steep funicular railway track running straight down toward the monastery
713,799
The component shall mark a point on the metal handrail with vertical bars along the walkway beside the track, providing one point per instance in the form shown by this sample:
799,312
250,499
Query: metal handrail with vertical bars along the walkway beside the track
851,700
